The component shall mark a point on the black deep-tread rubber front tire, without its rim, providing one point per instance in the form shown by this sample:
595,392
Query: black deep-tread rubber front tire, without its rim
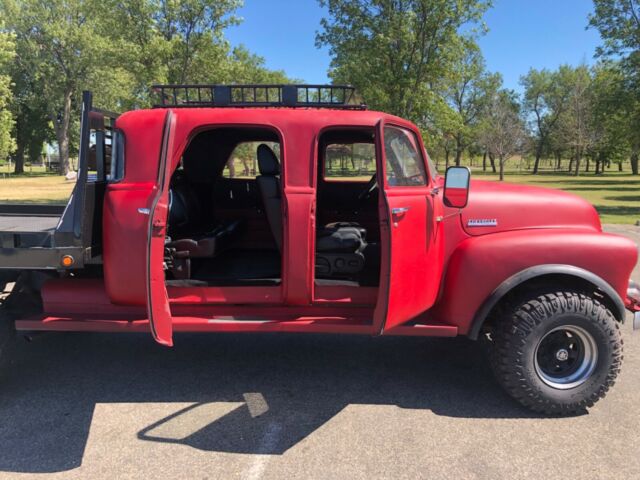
518,332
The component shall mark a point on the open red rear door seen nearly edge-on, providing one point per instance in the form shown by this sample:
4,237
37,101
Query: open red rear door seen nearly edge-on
157,298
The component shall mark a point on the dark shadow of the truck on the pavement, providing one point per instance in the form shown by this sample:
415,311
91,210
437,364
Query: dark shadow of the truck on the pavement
283,386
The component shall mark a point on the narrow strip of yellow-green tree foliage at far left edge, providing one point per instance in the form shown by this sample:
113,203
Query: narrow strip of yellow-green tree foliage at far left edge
7,54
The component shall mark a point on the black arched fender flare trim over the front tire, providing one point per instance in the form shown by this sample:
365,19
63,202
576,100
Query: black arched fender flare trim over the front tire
538,271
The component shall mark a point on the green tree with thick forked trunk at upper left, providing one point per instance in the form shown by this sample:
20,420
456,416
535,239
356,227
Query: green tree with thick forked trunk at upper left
66,45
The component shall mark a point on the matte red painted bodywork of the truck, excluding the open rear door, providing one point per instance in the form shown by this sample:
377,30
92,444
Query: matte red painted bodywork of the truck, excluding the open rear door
435,271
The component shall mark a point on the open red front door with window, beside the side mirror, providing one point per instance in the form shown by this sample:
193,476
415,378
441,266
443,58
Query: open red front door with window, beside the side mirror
411,236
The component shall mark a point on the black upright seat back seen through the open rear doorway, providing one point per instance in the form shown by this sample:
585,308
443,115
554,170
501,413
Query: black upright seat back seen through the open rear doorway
270,191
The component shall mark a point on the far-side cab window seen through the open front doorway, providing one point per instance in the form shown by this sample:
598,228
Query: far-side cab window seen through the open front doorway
351,162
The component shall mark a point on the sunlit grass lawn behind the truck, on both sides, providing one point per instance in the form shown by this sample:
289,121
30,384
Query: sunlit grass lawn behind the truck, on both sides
615,195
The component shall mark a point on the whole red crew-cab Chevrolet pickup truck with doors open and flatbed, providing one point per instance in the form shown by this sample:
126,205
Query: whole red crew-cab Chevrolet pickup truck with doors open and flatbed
292,208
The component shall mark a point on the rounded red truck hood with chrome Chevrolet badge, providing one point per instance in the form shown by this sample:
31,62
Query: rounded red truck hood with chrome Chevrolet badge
498,207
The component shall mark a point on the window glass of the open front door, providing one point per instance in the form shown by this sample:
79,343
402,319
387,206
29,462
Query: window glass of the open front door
404,163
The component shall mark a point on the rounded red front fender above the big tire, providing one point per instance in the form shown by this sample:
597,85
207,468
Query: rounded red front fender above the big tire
480,265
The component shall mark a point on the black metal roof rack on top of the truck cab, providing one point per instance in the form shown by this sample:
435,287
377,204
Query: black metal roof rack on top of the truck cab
318,96
